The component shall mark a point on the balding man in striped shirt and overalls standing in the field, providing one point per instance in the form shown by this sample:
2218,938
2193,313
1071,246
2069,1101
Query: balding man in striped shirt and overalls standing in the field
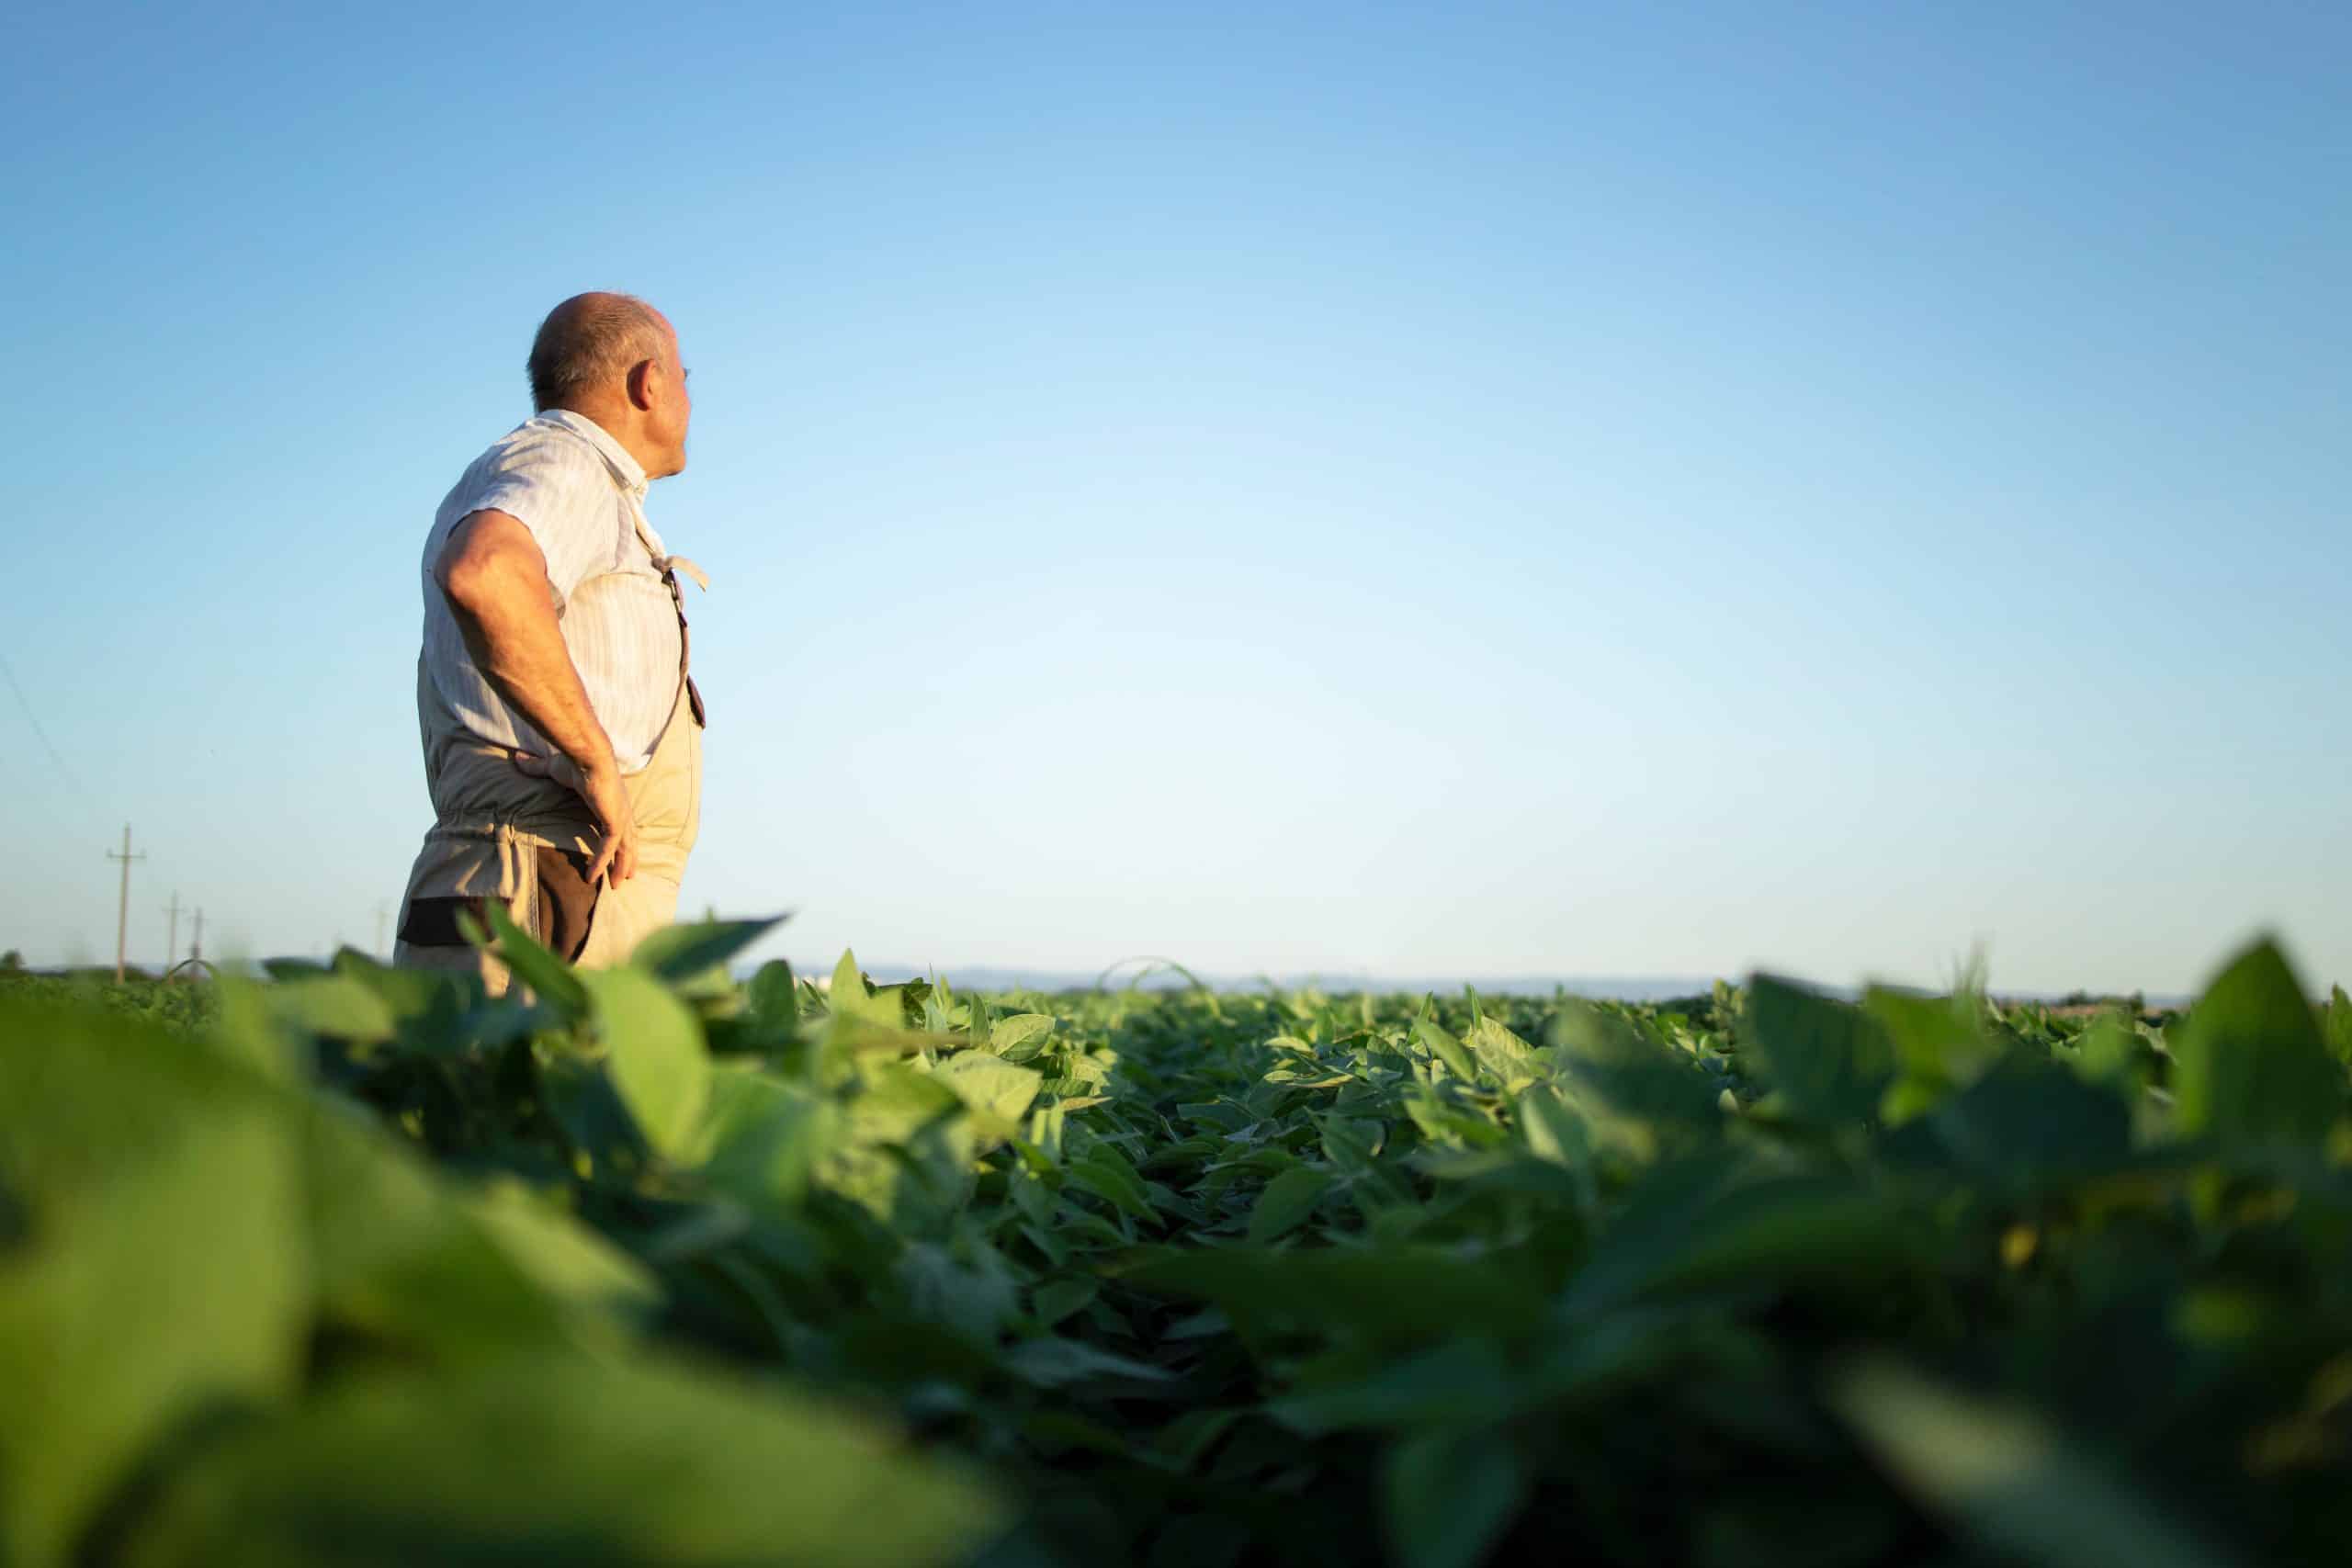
561,730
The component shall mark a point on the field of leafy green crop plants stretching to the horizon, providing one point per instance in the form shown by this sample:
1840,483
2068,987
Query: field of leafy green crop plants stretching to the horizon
660,1268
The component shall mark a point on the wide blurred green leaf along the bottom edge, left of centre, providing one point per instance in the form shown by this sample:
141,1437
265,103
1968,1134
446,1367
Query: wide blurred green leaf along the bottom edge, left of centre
575,1461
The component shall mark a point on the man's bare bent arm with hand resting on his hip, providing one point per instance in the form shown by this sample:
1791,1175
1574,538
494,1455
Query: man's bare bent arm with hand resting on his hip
497,589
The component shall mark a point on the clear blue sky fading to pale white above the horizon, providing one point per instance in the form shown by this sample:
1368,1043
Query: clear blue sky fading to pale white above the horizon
1443,490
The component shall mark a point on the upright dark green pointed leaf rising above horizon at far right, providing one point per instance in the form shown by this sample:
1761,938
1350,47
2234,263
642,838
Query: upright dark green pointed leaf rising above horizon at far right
2250,1064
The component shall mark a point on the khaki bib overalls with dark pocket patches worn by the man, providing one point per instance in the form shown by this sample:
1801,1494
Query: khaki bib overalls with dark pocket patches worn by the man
528,840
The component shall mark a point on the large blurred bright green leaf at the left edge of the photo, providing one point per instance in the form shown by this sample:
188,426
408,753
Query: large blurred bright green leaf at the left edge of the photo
156,1268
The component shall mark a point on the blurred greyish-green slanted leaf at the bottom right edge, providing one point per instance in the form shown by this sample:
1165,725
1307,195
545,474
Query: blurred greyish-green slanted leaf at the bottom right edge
2007,1477
